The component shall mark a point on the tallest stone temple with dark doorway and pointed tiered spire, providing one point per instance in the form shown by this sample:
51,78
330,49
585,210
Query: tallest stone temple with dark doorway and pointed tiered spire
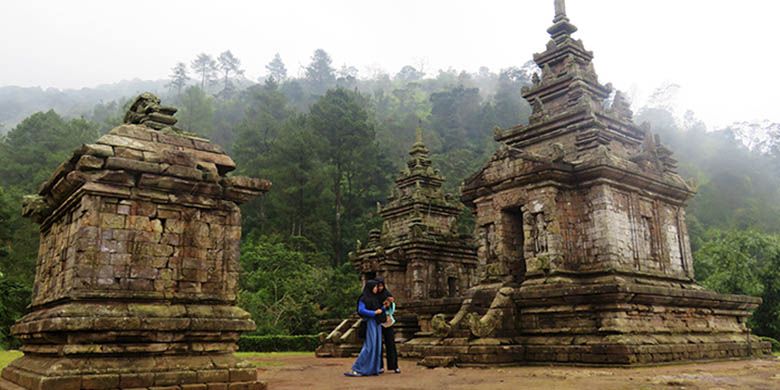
581,221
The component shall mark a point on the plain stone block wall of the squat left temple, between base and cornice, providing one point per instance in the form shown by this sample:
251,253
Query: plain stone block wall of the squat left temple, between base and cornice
127,249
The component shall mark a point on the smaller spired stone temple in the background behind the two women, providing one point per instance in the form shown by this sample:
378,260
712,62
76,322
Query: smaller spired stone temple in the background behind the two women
426,263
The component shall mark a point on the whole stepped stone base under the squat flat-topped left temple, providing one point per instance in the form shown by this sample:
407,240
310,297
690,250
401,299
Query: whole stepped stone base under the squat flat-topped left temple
130,345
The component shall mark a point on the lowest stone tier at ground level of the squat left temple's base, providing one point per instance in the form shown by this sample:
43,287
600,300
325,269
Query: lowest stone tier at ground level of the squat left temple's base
204,372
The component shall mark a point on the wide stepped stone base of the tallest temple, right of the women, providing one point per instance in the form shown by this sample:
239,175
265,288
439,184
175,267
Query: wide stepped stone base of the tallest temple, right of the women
603,320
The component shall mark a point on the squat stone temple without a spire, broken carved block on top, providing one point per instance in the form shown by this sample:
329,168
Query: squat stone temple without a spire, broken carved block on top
137,271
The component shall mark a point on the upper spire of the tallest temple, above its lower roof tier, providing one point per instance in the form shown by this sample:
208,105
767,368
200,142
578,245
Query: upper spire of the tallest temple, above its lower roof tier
568,98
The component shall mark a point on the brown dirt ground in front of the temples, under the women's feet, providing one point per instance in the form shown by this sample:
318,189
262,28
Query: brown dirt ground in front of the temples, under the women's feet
308,372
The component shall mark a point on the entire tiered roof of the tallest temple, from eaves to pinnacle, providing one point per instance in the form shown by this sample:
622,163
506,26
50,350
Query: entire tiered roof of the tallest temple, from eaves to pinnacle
579,125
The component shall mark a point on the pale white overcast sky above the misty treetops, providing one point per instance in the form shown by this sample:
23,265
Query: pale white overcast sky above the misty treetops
723,53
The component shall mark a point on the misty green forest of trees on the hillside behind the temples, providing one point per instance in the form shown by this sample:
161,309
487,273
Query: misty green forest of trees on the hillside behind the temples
332,142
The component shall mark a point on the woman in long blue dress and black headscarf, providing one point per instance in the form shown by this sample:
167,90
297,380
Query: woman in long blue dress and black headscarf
369,308
